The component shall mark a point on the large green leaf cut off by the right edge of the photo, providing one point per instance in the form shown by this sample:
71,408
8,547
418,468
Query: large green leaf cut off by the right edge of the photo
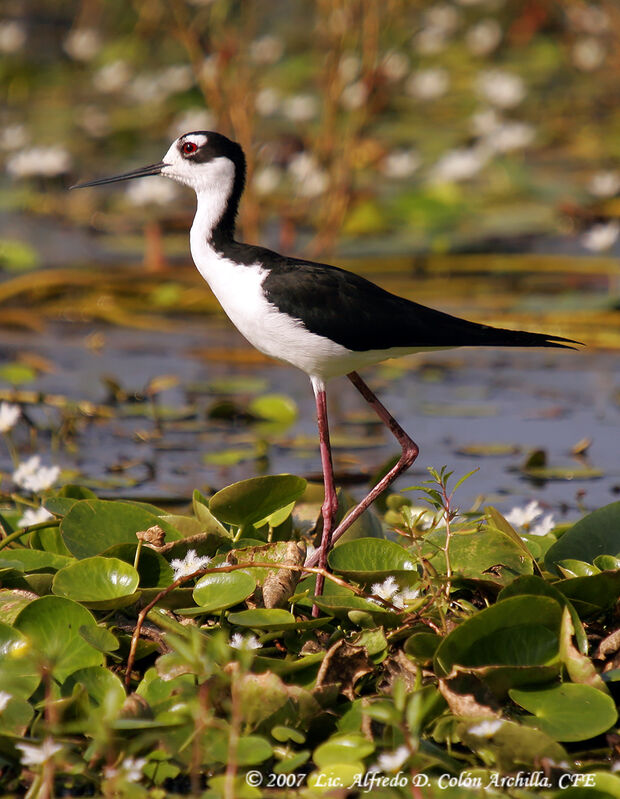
598,533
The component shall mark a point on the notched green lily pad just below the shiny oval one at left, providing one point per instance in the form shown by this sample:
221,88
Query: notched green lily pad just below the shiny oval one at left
52,624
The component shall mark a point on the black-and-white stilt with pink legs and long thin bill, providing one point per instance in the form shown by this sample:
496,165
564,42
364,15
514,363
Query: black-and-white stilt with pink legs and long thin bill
322,319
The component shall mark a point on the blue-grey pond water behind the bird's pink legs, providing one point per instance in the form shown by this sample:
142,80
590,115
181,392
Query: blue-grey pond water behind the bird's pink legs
458,405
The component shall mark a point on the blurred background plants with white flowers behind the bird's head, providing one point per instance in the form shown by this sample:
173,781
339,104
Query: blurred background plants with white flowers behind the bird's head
396,126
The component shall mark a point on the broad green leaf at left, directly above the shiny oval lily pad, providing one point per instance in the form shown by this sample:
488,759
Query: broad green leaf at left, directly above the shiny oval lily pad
93,525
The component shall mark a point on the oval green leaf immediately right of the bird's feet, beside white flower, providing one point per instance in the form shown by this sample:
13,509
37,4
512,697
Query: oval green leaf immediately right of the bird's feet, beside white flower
370,559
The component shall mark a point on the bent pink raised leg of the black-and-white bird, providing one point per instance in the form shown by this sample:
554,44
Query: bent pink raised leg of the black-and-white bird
409,454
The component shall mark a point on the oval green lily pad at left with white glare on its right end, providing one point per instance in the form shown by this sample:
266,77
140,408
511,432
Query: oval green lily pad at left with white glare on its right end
97,580
